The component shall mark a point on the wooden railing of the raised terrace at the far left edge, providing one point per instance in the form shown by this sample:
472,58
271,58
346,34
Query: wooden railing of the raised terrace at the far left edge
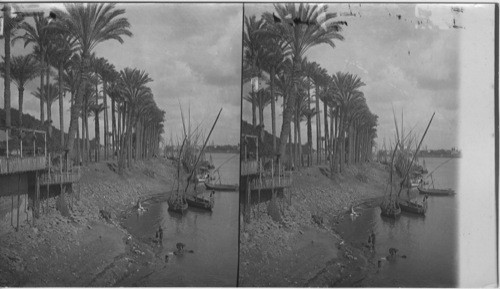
15,164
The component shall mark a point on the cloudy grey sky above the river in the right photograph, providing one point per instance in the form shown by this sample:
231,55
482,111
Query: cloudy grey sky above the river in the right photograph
411,67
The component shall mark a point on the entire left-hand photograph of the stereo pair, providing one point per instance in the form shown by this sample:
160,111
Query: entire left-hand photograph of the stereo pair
119,144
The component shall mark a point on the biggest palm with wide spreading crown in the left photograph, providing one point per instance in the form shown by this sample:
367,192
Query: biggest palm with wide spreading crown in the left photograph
90,24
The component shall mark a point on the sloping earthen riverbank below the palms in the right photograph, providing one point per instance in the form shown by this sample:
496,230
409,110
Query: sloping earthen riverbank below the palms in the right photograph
304,249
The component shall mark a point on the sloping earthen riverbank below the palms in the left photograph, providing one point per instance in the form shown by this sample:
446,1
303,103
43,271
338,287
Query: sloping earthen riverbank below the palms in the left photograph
84,249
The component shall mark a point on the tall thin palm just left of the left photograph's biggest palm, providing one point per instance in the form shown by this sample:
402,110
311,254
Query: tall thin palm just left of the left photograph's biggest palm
39,36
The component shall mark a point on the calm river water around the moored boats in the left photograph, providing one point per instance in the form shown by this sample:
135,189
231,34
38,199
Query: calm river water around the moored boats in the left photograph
213,236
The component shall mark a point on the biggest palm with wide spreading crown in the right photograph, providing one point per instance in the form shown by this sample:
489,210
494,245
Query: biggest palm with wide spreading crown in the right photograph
299,38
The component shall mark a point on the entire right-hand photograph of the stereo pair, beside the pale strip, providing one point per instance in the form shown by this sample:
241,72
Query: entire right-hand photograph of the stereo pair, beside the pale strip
350,147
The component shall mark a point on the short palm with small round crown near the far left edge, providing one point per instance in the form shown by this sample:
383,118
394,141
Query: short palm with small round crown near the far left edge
22,70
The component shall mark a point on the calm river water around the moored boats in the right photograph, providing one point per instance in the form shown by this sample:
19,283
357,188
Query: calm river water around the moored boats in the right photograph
429,243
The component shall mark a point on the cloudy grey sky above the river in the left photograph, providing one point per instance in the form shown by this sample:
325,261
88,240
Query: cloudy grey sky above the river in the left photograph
193,54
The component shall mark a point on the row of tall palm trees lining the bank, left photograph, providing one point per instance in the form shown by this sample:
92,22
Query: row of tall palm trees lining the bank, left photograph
62,57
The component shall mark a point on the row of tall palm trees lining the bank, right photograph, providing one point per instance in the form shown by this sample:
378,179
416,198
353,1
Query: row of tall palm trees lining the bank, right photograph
275,47
